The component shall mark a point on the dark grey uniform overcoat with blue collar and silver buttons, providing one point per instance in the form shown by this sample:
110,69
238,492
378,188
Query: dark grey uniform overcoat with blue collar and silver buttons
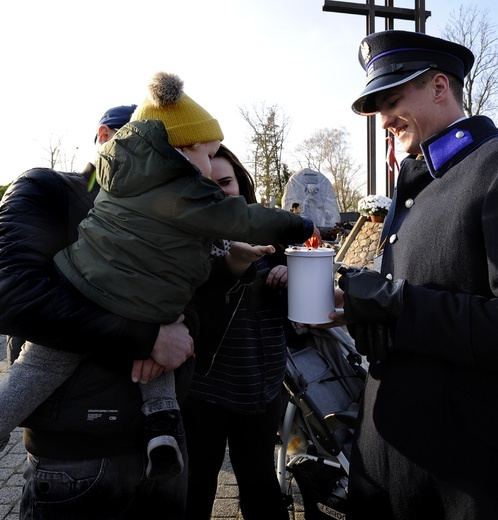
429,429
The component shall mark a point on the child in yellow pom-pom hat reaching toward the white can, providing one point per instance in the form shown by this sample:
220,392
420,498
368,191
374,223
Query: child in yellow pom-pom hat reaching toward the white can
145,246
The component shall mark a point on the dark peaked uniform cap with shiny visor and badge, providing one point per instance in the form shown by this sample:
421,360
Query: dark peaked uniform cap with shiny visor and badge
391,58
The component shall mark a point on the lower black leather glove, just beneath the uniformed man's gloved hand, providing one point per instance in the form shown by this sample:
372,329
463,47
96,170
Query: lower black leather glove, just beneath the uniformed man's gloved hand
372,341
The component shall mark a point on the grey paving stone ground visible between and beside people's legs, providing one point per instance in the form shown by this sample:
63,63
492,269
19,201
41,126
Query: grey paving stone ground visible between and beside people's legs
13,463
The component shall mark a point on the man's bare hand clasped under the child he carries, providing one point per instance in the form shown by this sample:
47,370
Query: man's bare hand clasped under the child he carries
173,345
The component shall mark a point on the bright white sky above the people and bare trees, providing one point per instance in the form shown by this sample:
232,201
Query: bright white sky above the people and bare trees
65,63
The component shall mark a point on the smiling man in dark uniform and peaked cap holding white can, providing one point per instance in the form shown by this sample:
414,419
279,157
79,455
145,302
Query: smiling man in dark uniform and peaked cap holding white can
426,441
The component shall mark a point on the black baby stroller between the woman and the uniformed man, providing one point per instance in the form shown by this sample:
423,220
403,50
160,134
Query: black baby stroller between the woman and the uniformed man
324,381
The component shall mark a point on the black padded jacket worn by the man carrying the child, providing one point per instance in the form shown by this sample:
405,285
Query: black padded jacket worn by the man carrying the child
39,216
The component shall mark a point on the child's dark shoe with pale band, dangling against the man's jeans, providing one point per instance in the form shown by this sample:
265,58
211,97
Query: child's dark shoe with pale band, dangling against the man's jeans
163,452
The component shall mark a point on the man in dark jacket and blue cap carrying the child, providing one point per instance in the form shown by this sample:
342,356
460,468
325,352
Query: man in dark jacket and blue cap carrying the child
71,435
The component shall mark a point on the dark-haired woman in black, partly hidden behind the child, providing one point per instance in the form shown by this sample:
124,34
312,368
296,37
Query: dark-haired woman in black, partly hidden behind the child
235,395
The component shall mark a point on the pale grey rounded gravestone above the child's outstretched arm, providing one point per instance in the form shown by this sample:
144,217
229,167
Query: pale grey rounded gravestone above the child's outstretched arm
316,195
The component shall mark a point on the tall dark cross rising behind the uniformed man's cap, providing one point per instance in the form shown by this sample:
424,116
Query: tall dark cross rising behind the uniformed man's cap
390,13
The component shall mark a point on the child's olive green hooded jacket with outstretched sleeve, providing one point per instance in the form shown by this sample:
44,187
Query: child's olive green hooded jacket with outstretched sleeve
144,248
